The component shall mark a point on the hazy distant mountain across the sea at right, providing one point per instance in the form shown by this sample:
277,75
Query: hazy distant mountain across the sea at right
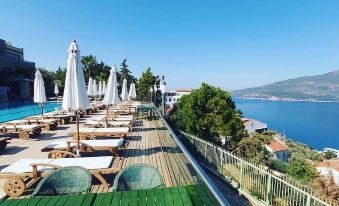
311,88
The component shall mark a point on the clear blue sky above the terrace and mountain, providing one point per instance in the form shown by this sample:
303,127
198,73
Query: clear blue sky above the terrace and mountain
231,44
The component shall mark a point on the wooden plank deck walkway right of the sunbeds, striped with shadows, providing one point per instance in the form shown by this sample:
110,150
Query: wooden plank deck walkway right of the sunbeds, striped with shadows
151,143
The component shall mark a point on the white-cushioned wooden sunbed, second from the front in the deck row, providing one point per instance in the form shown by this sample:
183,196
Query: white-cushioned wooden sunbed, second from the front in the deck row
111,145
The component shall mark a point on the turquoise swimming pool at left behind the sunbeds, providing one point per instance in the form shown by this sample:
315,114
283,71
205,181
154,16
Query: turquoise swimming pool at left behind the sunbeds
17,110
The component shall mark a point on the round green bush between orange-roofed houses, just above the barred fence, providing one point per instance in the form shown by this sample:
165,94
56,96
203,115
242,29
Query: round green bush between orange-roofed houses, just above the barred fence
301,170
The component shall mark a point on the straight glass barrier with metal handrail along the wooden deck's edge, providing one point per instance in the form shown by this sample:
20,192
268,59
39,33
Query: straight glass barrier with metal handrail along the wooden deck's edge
203,178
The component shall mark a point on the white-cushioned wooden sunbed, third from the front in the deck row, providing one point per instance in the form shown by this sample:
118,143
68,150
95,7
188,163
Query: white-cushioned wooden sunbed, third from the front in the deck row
93,133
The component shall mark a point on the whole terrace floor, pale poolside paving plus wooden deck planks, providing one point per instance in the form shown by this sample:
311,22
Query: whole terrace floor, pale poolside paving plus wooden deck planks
149,143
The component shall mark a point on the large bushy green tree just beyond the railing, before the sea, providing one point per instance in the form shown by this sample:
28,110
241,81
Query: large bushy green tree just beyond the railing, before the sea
209,113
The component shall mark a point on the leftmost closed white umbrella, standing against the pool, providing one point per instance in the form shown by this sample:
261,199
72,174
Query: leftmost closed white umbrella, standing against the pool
39,91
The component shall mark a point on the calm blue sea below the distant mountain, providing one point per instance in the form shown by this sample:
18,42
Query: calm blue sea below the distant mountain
313,123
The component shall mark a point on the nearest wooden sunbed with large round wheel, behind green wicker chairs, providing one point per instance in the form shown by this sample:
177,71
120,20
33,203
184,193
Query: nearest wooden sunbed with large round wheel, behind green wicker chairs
24,173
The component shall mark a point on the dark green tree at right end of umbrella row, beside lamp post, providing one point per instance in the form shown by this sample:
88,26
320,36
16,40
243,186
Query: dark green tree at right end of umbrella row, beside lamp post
146,81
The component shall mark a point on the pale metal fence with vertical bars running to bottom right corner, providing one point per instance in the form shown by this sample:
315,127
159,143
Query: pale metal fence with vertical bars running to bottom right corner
252,180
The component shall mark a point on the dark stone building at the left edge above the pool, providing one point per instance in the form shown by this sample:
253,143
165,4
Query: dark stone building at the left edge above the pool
17,74
